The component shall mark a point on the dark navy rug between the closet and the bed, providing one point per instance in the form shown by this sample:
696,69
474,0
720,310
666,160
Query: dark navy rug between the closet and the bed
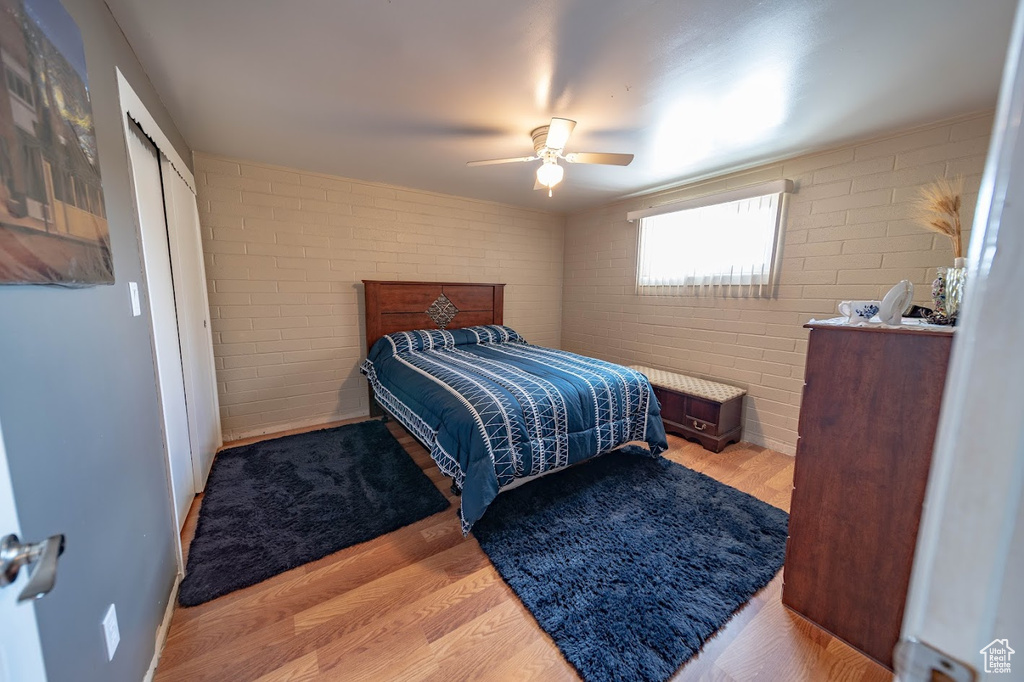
278,504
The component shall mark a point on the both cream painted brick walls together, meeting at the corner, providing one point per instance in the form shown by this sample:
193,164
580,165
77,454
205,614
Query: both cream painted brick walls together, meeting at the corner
286,250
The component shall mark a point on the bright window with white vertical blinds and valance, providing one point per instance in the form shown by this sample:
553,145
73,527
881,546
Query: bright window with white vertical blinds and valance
726,240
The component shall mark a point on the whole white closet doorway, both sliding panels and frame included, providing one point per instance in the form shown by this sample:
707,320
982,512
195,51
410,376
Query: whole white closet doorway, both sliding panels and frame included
180,308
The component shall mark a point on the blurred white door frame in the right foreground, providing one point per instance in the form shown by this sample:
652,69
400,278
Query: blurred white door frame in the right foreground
966,602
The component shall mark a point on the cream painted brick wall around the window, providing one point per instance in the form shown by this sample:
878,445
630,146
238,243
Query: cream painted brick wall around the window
849,236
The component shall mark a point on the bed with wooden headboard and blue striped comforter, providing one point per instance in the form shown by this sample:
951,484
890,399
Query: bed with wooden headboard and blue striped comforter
493,410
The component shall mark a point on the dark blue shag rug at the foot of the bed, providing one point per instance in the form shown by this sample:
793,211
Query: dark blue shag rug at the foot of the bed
632,564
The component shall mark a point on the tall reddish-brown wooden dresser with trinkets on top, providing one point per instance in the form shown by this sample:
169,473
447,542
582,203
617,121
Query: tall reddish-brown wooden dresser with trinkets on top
868,424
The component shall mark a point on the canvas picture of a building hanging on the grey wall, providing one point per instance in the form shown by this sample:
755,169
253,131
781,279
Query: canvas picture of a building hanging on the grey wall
53,218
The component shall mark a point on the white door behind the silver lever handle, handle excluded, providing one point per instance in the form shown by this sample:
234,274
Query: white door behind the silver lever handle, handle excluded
21,654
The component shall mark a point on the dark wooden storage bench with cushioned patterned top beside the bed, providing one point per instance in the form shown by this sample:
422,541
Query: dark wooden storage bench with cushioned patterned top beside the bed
697,409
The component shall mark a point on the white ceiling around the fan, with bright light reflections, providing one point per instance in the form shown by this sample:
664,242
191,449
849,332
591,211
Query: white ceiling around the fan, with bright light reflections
407,92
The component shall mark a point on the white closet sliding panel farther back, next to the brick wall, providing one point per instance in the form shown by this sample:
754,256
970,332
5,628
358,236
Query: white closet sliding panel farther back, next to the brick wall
194,322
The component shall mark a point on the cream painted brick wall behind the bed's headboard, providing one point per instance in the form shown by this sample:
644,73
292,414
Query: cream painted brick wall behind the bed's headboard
286,251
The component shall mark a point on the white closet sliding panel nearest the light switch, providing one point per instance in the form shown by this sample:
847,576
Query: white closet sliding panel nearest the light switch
157,262
